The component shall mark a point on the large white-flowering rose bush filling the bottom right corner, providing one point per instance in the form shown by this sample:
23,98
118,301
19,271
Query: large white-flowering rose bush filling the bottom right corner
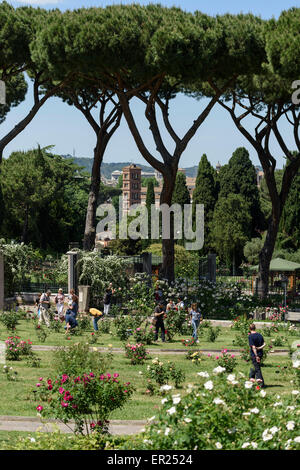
208,417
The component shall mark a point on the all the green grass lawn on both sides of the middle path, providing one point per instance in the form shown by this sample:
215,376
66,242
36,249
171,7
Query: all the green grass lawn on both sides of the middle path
17,398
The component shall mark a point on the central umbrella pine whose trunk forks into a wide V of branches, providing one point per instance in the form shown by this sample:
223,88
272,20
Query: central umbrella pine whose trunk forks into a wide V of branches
186,49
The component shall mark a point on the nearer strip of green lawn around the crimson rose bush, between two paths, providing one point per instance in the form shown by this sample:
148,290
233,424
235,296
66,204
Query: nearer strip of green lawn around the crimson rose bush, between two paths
17,398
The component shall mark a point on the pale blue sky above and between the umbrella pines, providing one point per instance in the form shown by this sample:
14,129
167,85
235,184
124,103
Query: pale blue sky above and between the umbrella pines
60,125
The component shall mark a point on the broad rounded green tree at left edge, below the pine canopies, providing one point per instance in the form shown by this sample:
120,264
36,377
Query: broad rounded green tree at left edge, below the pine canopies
46,199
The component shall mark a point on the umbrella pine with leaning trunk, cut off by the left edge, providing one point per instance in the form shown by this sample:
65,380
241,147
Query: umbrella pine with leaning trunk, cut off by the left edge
18,31
